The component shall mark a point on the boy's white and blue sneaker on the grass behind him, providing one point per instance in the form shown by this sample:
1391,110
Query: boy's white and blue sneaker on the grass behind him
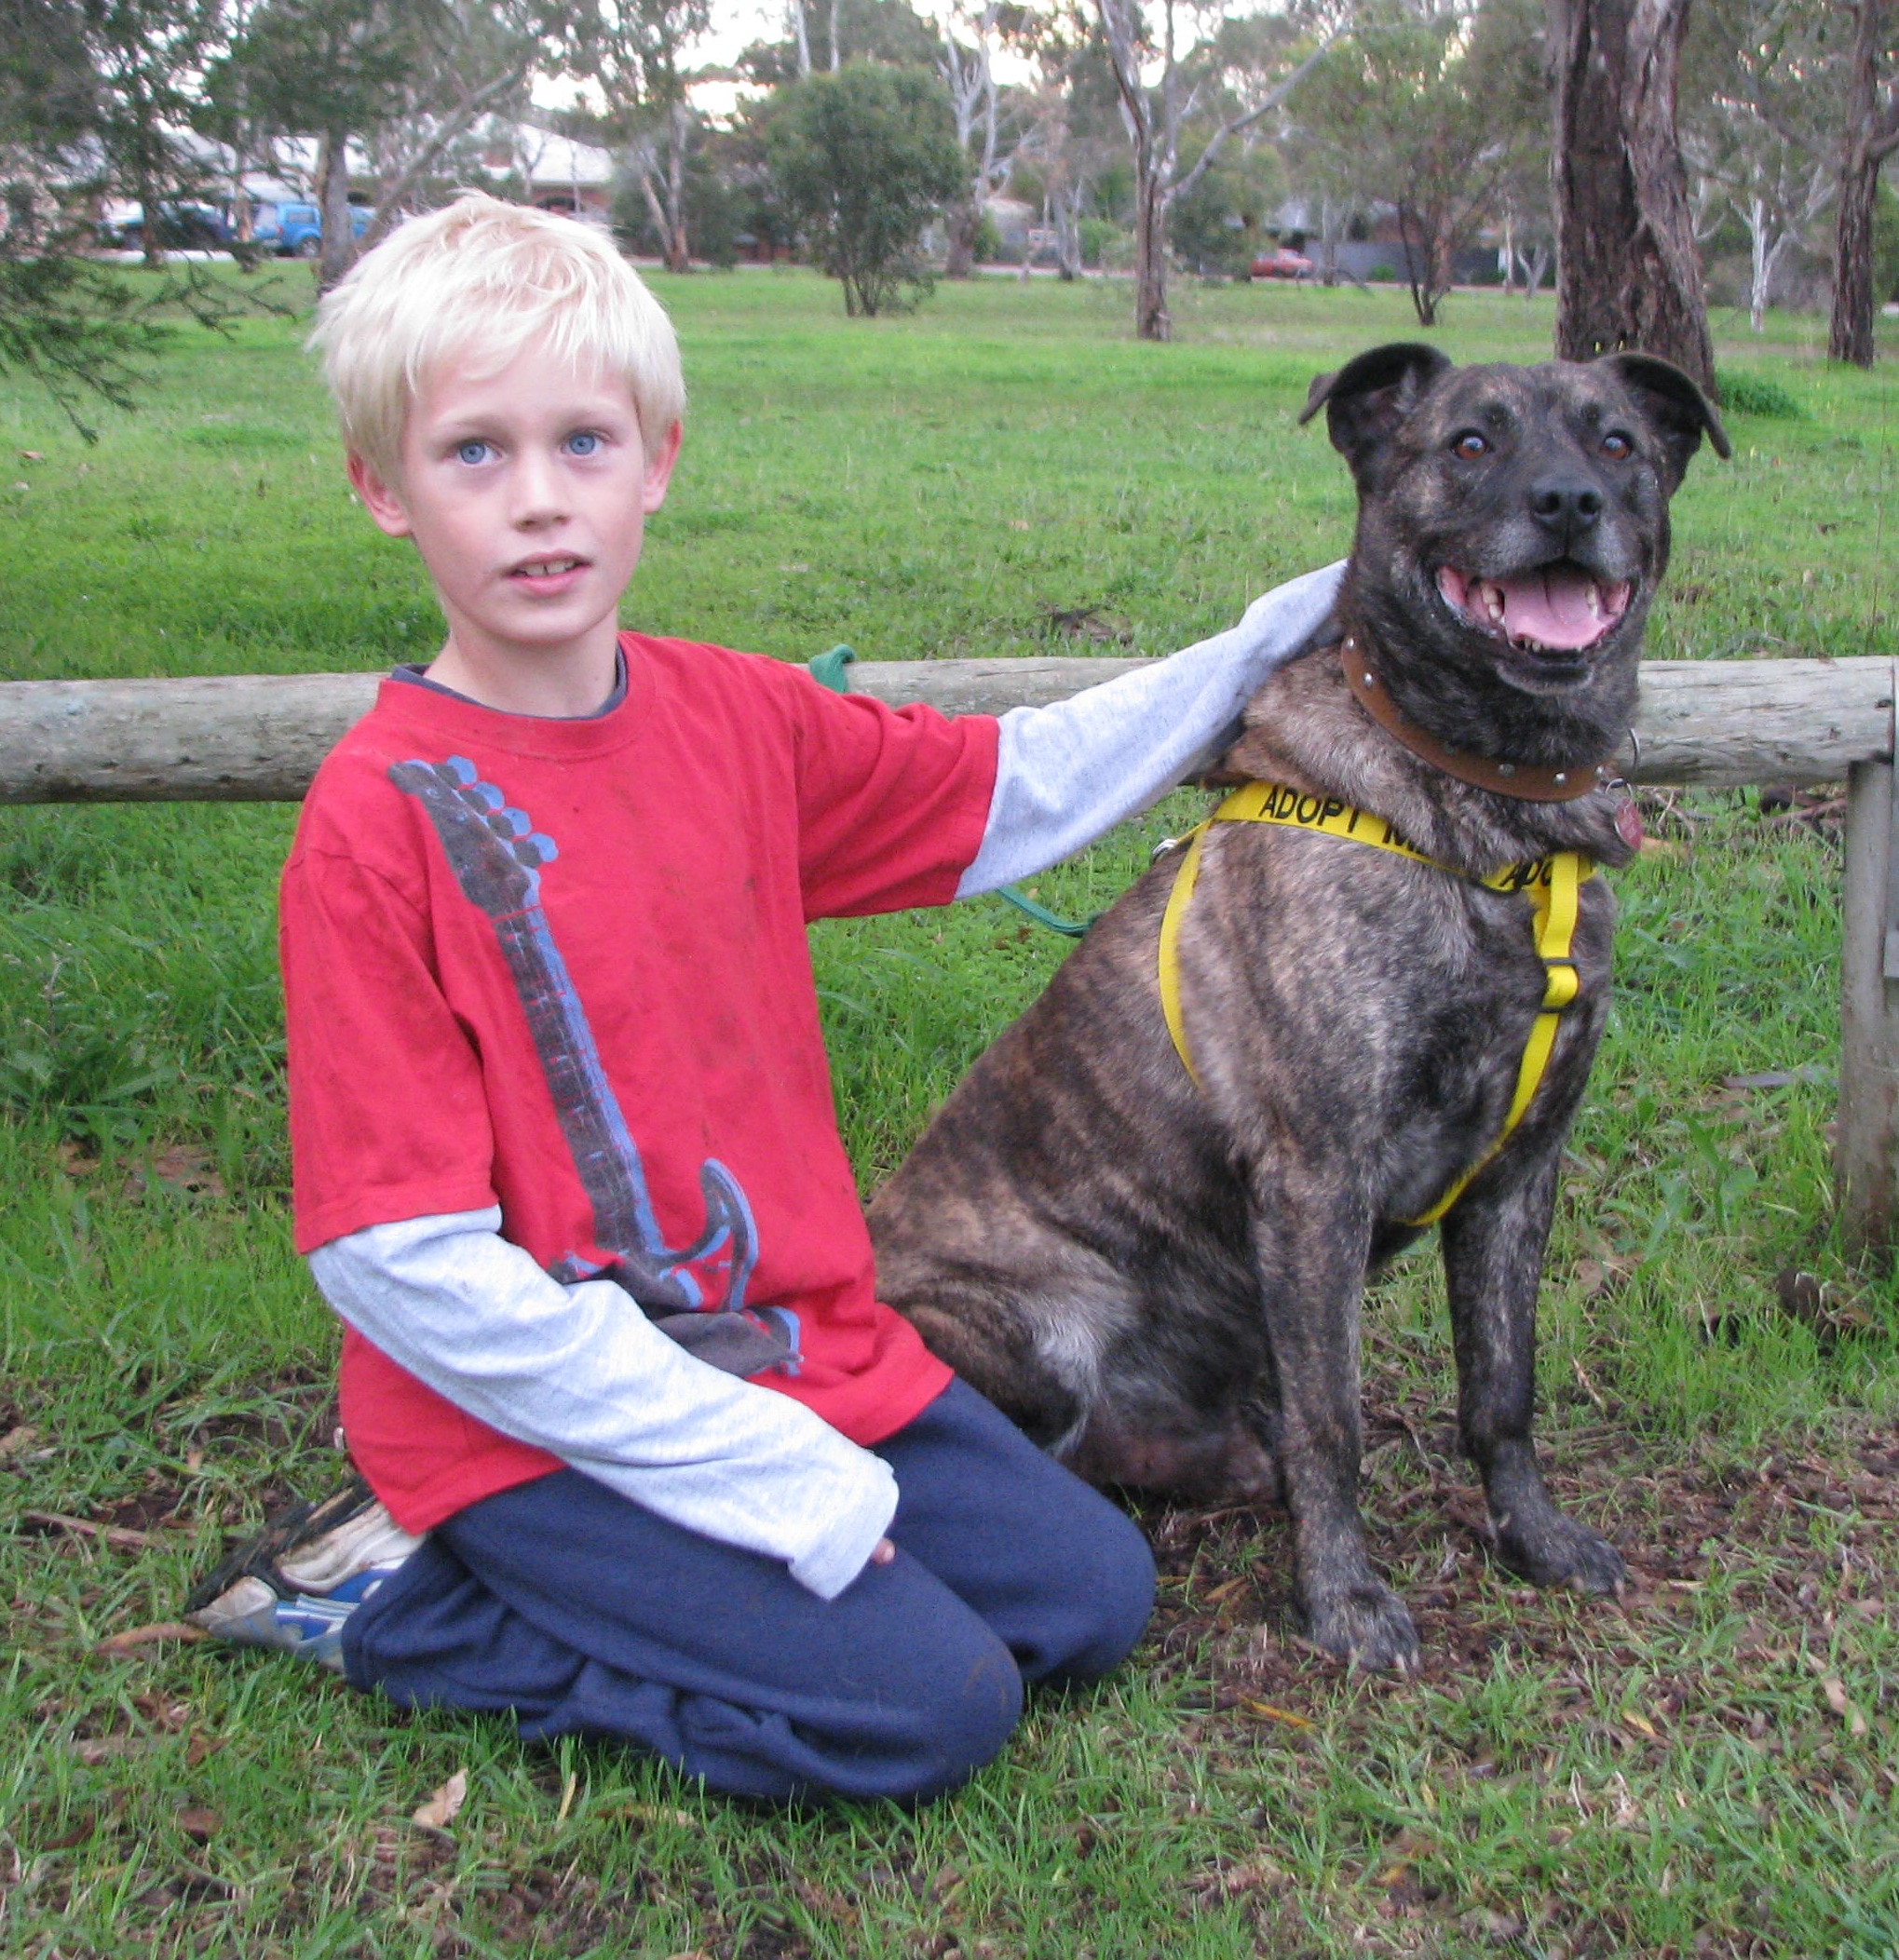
299,1581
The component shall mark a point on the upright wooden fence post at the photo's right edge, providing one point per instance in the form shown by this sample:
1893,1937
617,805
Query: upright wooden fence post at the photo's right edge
1867,1142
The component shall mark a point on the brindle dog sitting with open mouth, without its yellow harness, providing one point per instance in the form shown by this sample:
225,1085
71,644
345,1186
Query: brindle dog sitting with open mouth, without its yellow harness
1161,1281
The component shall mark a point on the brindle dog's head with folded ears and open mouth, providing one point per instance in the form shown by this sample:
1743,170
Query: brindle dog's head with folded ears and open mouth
1514,520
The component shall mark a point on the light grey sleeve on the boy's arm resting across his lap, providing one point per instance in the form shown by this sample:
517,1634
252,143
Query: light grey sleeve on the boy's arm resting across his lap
581,1373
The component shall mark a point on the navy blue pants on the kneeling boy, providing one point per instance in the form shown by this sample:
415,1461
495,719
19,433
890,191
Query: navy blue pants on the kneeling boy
587,1616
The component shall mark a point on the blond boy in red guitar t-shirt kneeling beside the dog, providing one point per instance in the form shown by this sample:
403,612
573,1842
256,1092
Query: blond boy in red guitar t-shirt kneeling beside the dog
644,1453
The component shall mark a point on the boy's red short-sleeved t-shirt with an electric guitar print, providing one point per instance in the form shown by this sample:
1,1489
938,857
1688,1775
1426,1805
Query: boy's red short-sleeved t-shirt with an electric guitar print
561,967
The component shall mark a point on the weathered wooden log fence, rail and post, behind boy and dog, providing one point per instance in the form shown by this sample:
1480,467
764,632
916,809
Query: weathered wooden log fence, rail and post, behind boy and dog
260,738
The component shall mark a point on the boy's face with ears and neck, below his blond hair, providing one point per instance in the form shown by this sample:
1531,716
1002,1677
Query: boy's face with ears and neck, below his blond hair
526,495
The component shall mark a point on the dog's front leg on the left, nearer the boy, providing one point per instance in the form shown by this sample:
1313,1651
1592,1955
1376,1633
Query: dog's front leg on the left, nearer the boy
1312,1246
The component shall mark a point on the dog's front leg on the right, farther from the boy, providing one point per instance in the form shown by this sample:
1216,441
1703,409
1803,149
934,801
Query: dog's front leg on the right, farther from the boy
1494,1248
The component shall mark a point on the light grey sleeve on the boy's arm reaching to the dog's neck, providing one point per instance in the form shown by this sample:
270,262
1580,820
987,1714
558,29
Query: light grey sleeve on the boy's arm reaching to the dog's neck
1073,771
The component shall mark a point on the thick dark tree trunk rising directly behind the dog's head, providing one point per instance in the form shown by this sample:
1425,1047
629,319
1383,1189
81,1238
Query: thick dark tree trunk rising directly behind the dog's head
1628,269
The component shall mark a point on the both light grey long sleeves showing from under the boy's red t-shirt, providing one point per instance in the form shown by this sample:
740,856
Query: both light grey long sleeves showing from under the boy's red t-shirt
581,1373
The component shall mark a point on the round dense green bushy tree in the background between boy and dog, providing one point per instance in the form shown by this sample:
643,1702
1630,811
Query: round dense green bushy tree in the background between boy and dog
863,162
